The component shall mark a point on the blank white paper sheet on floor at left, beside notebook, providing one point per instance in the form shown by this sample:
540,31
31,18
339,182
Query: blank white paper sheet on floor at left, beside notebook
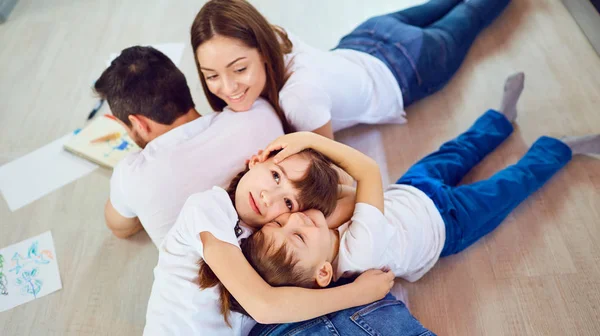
38,173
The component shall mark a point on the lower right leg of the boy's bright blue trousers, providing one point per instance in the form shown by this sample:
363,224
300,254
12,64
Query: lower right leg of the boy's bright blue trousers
480,207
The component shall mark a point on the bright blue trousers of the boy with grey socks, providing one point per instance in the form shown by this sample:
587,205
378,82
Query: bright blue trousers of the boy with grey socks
471,211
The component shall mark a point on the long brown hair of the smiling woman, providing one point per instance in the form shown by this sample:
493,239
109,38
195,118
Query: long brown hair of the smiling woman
239,20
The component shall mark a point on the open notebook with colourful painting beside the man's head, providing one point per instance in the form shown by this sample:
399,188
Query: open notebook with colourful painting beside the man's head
105,153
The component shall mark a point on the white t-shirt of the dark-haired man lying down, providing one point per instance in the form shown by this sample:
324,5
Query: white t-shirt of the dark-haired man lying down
154,183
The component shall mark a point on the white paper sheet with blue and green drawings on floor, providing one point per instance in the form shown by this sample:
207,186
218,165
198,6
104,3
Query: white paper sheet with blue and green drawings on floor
28,270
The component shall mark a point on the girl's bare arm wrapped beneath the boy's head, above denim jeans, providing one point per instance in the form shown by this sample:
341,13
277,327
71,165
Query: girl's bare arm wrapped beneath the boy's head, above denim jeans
267,304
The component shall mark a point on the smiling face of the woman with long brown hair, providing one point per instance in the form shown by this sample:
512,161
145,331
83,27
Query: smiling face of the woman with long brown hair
232,71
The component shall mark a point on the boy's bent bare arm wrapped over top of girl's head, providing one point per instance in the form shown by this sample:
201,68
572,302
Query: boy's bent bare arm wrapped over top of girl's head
362,168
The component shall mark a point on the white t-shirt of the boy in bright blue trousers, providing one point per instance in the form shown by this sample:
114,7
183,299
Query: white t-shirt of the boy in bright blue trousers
408,238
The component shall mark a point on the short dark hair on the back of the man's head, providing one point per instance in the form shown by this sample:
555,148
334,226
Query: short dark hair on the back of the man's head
144,81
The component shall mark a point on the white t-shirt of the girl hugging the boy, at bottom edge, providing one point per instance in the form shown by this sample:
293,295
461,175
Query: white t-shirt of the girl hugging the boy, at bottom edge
177,305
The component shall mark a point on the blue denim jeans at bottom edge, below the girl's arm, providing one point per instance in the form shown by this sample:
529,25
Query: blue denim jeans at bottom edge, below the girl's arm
385,317
